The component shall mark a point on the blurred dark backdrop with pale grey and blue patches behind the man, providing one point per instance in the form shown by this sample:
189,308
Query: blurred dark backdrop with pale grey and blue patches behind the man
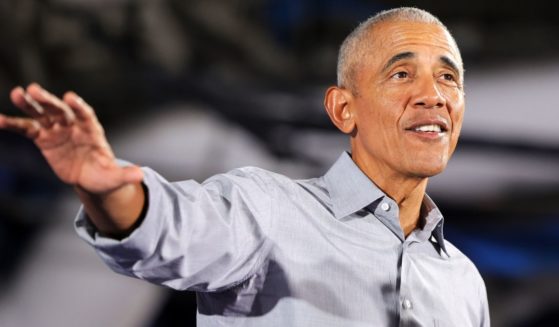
193,88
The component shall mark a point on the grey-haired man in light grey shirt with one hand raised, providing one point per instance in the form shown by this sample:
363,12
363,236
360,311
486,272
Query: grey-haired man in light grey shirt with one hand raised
360,246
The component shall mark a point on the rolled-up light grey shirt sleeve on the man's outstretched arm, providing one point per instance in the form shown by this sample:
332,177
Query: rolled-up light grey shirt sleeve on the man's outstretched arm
201,237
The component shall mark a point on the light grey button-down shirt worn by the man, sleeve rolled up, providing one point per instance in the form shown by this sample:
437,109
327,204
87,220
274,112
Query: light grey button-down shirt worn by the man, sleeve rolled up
265,250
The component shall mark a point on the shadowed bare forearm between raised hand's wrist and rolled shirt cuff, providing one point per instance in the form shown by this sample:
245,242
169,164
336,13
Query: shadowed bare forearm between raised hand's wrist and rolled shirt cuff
115,213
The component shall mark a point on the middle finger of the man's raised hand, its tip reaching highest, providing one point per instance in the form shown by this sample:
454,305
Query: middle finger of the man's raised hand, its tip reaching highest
57,110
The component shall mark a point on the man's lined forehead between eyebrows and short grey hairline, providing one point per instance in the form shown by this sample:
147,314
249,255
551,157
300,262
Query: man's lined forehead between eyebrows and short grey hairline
392,37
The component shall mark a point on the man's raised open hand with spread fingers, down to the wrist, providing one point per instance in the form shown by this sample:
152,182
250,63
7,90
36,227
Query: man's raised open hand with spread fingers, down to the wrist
71,140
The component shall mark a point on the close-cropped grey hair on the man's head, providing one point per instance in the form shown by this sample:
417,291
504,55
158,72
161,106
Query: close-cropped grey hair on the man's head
353,49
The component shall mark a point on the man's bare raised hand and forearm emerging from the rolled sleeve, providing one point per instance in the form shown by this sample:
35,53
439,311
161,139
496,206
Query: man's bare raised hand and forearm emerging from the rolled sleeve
73,142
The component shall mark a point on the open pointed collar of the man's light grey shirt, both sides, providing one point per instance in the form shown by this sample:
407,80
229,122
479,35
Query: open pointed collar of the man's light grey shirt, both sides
351,190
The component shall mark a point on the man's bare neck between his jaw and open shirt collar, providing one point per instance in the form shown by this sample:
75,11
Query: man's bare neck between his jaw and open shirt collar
407,191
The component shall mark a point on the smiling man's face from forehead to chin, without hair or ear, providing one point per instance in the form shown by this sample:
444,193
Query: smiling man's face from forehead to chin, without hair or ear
409,102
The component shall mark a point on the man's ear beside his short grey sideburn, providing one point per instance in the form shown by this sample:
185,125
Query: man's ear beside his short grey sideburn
338,105
